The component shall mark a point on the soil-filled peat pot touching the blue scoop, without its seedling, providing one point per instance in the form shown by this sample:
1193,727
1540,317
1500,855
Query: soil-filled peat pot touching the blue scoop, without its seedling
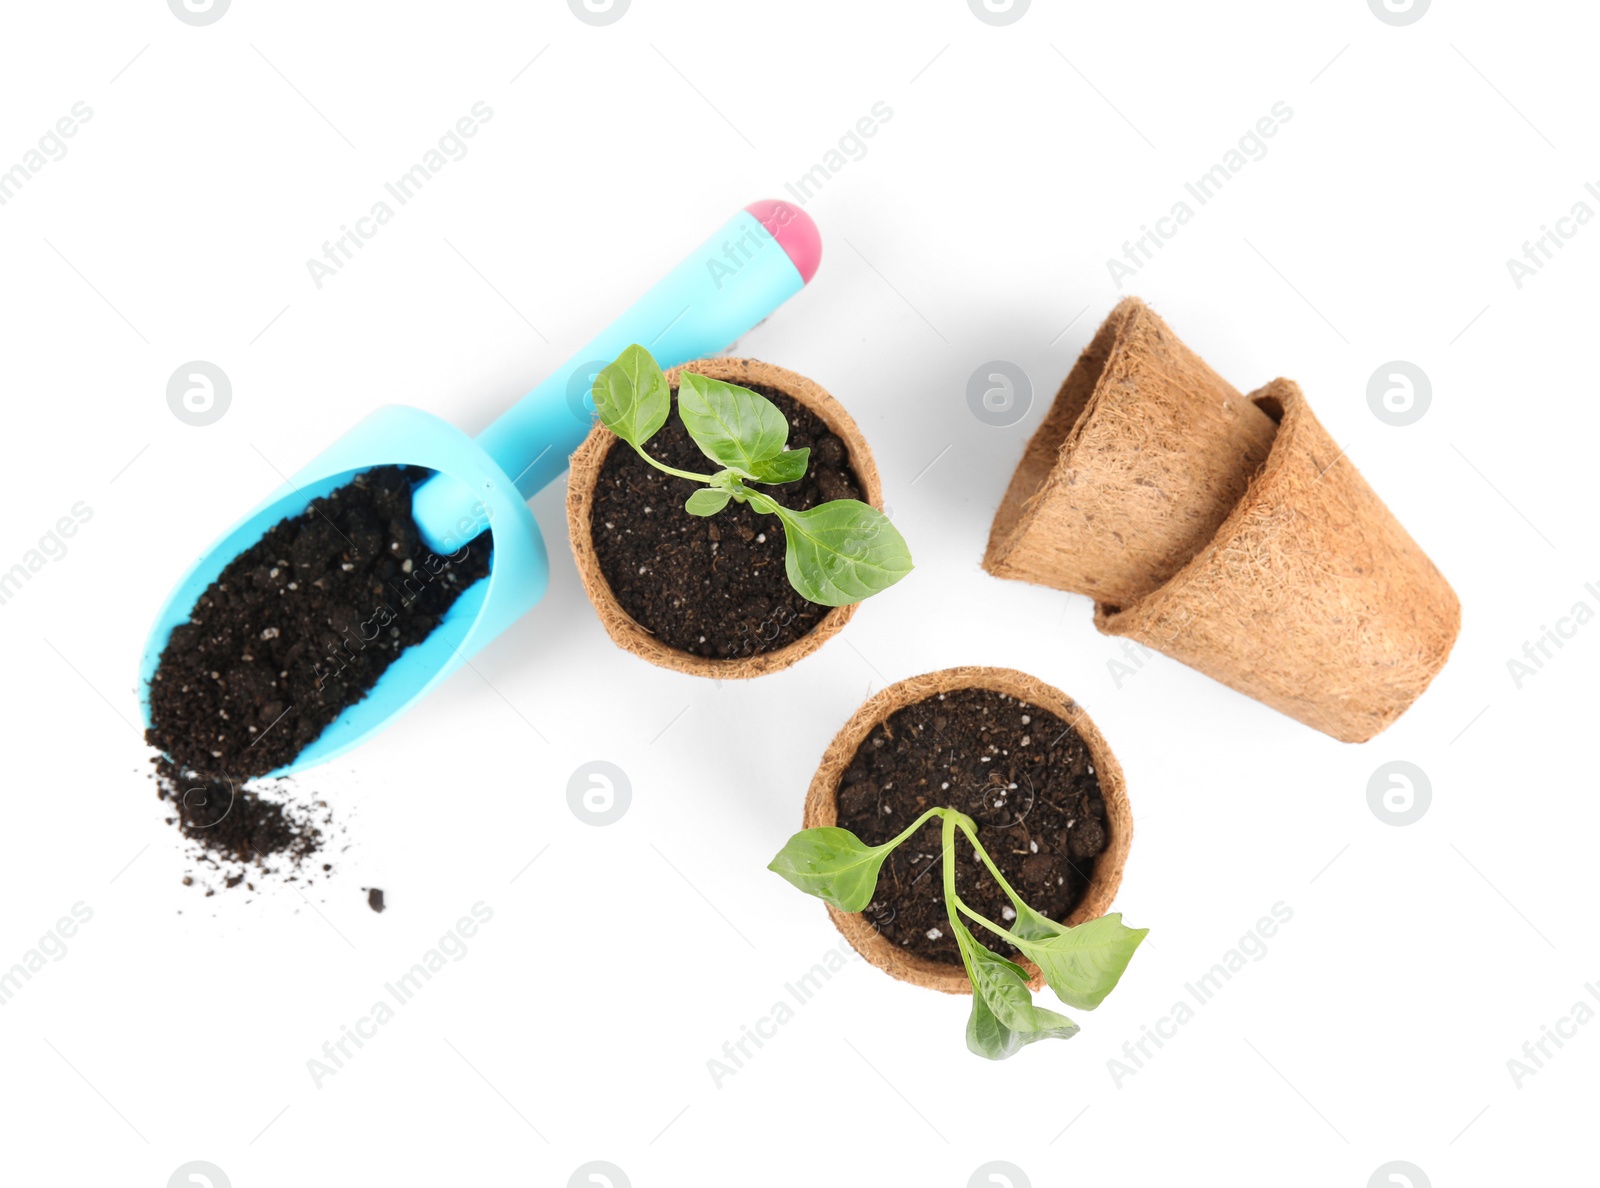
711,596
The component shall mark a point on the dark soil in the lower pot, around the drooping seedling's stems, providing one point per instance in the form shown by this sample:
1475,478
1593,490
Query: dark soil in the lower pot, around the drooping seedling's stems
1018,771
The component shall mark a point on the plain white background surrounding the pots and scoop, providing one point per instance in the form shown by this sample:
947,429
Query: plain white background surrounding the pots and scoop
977,228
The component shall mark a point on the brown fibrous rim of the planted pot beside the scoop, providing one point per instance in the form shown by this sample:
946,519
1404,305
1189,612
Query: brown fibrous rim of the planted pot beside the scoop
588,462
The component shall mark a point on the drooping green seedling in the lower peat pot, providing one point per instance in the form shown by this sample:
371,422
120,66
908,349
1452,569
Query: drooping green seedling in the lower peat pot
1082,966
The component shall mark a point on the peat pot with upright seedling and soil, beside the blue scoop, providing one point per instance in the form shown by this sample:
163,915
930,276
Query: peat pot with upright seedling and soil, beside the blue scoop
745,566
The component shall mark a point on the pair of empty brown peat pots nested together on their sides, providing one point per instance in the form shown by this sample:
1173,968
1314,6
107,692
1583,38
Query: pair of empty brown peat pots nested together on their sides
1228,532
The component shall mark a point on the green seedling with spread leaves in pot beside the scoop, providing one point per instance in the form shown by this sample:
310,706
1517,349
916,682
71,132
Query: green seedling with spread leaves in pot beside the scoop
836,553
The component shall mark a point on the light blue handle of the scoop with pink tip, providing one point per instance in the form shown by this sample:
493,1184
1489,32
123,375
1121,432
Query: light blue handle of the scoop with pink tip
754,263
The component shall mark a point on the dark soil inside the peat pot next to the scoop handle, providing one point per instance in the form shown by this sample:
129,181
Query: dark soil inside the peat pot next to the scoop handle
711,585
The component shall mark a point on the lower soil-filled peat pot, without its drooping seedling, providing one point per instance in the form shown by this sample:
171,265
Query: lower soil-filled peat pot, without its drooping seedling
1018,757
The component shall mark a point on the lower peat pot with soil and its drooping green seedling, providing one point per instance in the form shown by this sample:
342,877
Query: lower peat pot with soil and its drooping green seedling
969,830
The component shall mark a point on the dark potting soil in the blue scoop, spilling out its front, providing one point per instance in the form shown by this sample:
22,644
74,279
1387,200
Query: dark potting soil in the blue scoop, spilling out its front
292,633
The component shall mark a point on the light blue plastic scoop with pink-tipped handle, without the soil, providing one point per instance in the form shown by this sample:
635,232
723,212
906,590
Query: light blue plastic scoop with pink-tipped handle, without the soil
761,259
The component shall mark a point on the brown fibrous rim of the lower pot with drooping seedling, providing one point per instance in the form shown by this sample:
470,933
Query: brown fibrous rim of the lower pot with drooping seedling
822,809
